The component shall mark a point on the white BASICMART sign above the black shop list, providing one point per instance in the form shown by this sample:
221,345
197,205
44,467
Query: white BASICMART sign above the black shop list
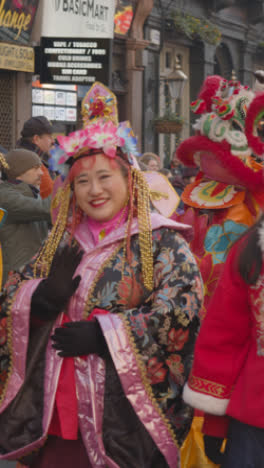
78,19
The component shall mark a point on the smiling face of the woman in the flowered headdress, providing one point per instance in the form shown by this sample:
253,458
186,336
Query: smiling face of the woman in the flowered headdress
101,190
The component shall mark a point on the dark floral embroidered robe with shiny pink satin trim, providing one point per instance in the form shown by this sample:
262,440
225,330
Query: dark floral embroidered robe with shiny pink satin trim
150,336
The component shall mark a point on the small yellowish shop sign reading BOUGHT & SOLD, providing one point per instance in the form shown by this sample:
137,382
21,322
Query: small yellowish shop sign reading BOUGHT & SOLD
15,57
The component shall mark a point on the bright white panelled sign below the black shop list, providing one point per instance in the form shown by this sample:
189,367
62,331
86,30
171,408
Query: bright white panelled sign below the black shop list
56,102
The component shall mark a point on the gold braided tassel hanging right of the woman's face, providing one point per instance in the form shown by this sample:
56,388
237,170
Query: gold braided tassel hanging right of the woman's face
145,228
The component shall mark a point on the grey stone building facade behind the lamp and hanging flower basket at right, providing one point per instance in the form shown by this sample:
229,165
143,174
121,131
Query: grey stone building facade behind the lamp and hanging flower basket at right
208,37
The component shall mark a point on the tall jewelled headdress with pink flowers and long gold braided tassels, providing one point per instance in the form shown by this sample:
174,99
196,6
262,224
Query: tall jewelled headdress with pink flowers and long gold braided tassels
102,133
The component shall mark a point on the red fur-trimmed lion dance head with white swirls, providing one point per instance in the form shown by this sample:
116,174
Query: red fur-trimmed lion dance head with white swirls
226,137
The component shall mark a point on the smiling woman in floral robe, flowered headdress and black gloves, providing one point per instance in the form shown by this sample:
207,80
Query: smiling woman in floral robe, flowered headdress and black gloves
118,286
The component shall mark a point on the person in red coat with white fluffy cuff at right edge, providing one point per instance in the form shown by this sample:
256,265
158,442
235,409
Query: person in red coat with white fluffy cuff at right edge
227,378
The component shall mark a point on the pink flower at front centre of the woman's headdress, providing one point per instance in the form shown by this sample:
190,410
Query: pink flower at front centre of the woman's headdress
104,135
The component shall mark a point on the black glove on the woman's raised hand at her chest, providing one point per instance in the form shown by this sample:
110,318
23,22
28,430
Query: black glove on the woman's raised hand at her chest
53,293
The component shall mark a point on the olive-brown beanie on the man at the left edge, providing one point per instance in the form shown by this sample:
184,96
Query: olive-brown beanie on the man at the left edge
20,161
